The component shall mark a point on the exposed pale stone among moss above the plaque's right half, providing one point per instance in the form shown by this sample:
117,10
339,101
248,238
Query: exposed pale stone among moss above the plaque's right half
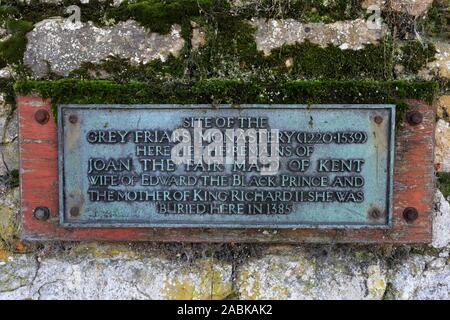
271,34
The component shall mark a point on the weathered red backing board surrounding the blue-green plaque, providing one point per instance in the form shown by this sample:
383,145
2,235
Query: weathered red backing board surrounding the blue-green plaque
414,186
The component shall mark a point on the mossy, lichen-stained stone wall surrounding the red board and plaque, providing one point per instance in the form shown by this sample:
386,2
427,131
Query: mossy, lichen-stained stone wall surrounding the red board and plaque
252,40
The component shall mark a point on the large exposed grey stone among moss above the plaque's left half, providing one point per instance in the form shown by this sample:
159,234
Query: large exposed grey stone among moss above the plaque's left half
63,45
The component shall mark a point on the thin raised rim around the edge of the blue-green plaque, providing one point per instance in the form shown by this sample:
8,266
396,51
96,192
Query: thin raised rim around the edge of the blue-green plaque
184,224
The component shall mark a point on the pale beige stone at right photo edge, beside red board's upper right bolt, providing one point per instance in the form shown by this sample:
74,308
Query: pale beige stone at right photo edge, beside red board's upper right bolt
442,150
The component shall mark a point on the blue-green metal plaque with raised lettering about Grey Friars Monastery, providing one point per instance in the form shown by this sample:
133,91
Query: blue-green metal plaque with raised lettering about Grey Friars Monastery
251,166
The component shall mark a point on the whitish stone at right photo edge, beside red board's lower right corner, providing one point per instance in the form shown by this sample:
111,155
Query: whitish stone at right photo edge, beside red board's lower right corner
441,219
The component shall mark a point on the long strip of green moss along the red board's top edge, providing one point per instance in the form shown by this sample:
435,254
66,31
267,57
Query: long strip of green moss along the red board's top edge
217,91
